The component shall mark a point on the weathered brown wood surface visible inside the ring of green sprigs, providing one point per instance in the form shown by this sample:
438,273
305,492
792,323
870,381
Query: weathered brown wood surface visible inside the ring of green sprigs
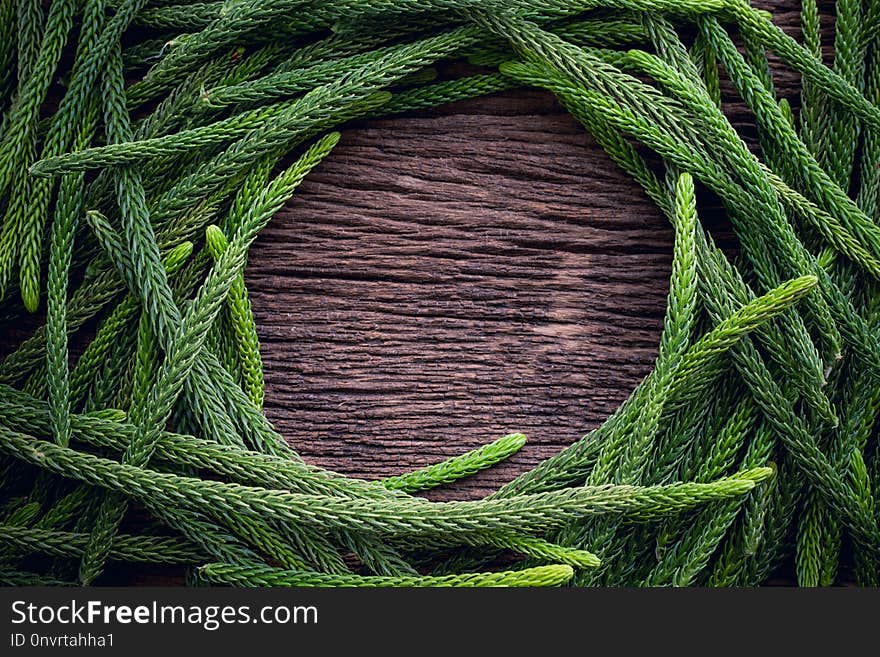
448,277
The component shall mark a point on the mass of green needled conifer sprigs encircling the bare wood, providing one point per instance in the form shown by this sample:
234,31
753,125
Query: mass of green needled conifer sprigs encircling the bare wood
752,443
